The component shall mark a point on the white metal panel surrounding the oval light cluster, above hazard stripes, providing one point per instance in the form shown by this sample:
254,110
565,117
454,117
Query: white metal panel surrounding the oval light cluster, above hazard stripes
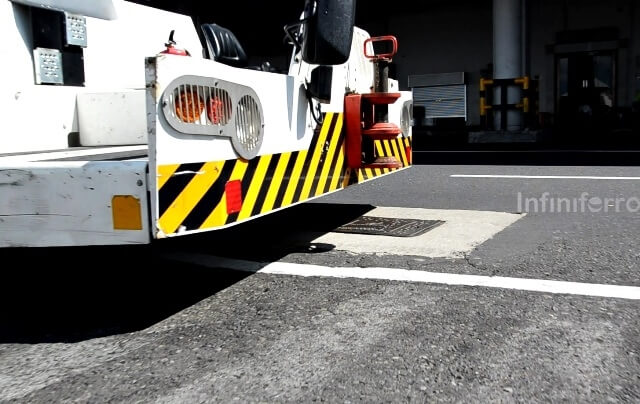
287,122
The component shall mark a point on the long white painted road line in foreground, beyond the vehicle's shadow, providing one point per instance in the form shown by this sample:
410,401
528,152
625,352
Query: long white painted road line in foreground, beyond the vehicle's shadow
404,275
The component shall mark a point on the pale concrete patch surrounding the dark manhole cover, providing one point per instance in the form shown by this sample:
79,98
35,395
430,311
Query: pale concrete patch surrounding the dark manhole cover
461,233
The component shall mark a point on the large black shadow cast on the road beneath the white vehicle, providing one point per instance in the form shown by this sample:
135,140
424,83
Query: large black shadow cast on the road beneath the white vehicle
74,294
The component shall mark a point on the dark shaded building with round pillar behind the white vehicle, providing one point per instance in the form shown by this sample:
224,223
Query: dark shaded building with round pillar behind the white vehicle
582,57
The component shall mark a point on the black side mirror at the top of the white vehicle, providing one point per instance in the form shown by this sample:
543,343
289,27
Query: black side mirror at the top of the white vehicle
328,32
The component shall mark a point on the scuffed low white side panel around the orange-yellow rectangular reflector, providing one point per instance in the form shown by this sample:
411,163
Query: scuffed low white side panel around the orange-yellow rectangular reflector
69,203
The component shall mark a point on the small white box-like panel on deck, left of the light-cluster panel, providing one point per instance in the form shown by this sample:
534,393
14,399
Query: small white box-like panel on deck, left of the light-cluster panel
113,118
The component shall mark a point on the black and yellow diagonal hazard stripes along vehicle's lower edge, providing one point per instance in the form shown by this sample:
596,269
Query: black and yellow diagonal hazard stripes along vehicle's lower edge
192,196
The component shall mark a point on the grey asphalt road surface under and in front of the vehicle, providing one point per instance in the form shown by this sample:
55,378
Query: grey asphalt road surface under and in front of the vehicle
136,325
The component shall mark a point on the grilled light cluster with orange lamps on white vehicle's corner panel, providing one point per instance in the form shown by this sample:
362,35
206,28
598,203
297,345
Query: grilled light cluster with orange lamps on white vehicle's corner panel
204,106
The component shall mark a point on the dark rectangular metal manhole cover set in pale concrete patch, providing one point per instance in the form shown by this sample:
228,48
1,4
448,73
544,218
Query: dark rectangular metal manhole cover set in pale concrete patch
387,226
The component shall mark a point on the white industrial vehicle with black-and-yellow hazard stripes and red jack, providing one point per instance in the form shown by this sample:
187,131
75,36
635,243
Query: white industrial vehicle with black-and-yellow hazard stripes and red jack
113,135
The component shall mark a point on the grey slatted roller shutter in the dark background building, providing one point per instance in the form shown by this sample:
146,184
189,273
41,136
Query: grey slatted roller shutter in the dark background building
442,101
